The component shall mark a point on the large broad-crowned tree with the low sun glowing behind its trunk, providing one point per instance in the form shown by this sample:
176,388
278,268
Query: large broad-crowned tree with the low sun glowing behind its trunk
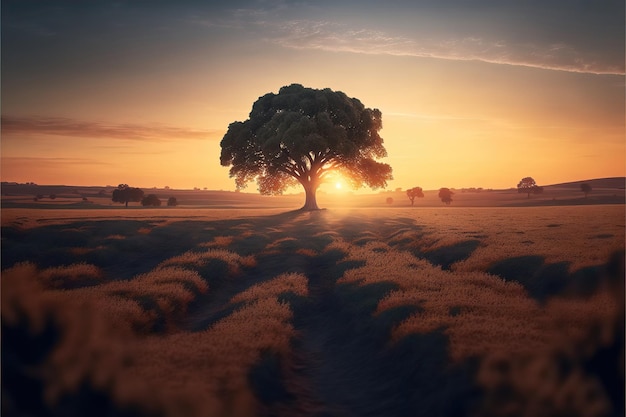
302,135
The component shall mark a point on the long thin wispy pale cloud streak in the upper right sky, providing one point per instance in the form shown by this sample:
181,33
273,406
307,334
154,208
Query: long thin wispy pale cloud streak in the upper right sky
334,37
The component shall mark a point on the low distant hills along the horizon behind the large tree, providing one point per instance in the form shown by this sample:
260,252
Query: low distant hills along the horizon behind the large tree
604,191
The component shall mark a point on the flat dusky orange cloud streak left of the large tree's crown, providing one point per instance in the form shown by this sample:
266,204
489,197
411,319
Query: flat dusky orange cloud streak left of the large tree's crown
59,126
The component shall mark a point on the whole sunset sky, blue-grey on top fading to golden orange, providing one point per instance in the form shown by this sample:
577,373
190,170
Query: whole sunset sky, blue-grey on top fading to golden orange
473,93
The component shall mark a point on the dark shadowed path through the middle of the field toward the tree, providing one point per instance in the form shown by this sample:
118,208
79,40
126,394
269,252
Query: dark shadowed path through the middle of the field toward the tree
342,352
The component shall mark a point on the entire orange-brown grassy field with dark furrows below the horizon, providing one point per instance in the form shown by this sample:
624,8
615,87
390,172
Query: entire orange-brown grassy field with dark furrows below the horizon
381,311
